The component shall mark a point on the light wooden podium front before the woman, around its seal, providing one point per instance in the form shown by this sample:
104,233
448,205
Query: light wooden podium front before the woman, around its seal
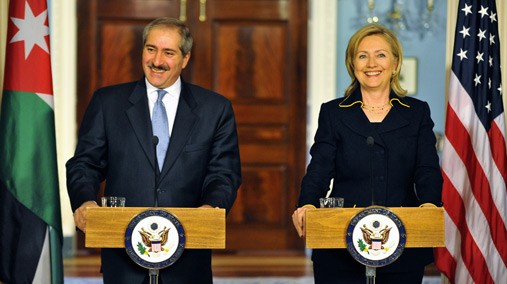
327,227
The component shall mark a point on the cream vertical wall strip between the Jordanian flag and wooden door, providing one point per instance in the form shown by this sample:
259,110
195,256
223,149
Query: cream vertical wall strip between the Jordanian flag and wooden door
64,61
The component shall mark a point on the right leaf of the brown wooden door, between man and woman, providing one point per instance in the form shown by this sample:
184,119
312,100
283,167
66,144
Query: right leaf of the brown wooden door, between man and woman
257,55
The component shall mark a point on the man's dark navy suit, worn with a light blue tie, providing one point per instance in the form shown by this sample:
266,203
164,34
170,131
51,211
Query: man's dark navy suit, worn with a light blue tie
202,165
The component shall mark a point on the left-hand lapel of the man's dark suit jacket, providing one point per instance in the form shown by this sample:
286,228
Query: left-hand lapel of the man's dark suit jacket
139,117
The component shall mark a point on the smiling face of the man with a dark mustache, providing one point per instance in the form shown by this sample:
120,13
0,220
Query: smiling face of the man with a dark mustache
163,60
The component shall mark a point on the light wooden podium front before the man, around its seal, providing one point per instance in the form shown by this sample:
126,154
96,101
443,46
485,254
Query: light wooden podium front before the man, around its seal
204,227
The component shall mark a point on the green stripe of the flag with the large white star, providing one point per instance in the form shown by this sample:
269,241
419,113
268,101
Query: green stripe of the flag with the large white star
28,150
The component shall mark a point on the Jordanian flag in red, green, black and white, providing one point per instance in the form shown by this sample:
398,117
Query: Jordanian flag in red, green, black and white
30,218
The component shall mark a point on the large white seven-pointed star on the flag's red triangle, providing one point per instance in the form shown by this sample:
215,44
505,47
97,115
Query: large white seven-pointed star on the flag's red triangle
32,30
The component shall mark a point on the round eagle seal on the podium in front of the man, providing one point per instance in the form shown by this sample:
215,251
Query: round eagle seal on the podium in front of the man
154,239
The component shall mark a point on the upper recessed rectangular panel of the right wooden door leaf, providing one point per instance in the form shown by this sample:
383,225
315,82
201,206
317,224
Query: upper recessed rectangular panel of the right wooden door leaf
252,69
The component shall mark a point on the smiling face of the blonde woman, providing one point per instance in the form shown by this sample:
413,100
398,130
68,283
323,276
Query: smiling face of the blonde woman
374,64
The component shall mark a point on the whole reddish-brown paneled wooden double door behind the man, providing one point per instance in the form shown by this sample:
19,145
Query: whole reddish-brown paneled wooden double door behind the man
251,51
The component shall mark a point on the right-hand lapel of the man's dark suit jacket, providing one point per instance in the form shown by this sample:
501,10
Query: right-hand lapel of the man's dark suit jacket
183,125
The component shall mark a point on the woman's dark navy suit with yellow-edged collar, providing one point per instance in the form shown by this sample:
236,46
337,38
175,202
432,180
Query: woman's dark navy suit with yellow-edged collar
404,163
